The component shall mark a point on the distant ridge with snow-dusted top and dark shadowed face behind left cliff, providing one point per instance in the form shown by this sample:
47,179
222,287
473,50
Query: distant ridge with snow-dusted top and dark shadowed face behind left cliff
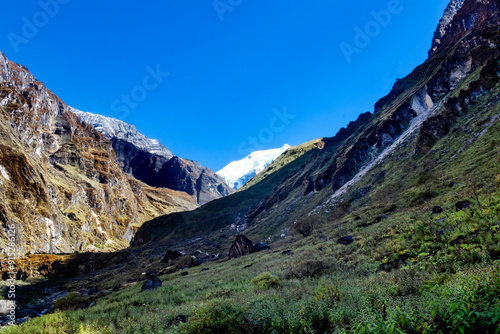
151,162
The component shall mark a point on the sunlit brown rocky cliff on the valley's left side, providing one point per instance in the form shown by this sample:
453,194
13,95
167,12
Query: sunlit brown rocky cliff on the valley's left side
61,186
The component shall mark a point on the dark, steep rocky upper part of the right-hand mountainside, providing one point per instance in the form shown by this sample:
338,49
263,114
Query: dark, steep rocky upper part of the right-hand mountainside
316,177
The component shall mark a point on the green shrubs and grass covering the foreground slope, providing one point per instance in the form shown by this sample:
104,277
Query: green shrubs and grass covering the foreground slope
447,283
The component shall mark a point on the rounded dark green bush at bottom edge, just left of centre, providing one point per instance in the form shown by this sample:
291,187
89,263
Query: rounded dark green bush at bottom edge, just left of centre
217,318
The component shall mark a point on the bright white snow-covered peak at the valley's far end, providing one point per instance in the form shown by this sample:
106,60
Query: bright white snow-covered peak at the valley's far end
237,173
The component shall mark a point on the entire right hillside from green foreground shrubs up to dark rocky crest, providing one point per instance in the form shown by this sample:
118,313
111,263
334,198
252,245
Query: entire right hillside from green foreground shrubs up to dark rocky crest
390,226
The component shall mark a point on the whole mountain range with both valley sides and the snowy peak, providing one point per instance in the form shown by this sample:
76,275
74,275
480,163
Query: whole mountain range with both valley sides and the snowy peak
390,226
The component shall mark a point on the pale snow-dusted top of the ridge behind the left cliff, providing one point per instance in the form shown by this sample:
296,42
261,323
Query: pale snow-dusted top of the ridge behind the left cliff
114,128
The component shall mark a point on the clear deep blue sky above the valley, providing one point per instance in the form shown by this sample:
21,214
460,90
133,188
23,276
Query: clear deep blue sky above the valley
225,77
